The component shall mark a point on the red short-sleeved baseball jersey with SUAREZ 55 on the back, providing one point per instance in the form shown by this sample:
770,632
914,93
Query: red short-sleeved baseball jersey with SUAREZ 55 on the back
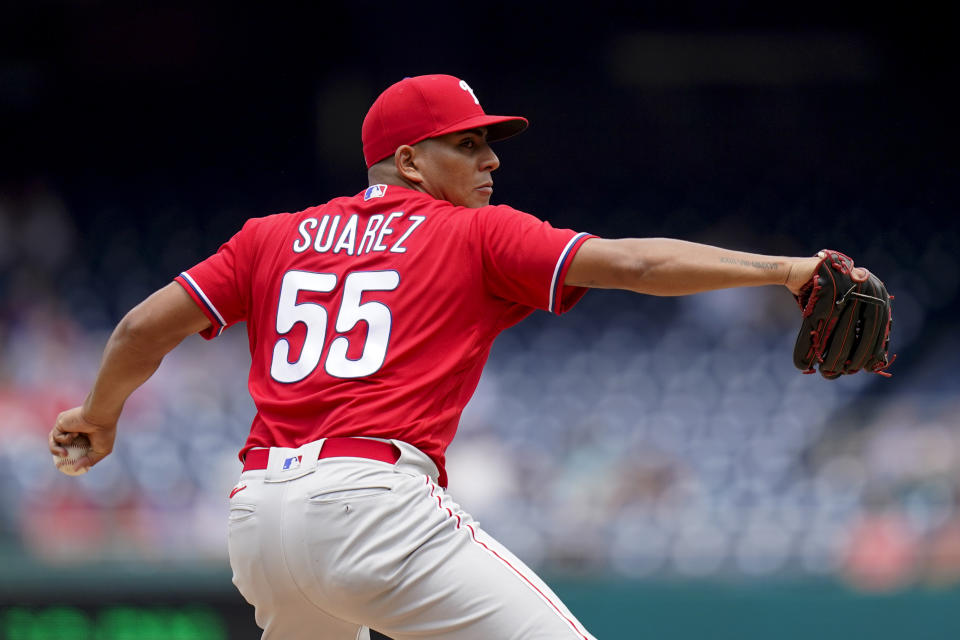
374,315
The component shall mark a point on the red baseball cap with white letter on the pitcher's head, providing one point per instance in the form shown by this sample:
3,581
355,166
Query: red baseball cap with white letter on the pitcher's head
422,107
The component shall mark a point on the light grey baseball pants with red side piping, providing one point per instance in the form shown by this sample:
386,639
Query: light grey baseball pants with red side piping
341,544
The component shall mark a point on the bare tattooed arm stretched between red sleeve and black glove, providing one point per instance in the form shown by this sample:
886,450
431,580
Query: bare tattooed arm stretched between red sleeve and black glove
667,267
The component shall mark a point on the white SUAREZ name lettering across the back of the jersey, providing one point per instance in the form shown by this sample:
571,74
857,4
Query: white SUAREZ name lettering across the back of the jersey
325,233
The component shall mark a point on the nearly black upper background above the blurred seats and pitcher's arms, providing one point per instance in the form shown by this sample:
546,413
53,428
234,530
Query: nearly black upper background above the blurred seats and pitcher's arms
161,127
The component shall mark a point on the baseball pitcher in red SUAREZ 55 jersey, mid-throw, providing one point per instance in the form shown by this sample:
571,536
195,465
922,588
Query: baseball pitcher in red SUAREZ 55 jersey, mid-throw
370,319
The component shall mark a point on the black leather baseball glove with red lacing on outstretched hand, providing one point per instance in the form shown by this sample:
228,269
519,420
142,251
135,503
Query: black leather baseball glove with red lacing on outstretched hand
847,317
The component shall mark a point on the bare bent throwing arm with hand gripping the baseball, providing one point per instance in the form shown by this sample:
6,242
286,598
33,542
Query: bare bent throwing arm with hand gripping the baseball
134,351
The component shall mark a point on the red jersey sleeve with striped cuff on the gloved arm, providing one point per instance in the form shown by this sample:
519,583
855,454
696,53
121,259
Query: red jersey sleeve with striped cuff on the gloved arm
525,259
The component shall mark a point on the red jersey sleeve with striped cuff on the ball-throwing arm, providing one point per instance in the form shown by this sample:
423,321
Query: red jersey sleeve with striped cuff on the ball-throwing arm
220,284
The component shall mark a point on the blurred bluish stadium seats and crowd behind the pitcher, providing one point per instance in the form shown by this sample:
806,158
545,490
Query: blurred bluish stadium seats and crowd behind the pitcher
643,436
